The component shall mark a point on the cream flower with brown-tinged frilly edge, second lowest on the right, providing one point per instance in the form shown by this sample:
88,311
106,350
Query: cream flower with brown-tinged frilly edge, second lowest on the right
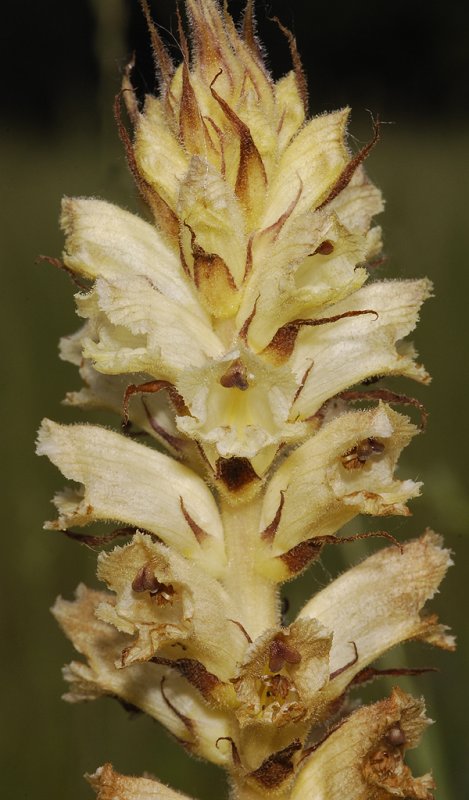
380,603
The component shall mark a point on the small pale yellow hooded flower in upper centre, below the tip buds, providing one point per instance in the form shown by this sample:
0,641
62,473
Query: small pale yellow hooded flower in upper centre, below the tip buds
212,211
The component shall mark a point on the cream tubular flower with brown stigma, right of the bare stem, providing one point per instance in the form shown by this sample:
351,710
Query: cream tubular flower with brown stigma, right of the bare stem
321,488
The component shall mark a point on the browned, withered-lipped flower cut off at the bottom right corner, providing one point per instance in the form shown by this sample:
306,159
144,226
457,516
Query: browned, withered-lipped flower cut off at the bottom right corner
360,760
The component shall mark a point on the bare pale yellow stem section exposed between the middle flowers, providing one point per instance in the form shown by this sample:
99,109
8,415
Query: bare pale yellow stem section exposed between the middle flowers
254,597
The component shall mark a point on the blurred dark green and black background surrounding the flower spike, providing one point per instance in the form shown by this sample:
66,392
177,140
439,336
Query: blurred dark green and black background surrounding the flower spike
63,62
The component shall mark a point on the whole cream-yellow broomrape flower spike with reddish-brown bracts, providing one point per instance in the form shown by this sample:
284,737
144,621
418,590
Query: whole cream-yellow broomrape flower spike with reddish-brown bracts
234,329
